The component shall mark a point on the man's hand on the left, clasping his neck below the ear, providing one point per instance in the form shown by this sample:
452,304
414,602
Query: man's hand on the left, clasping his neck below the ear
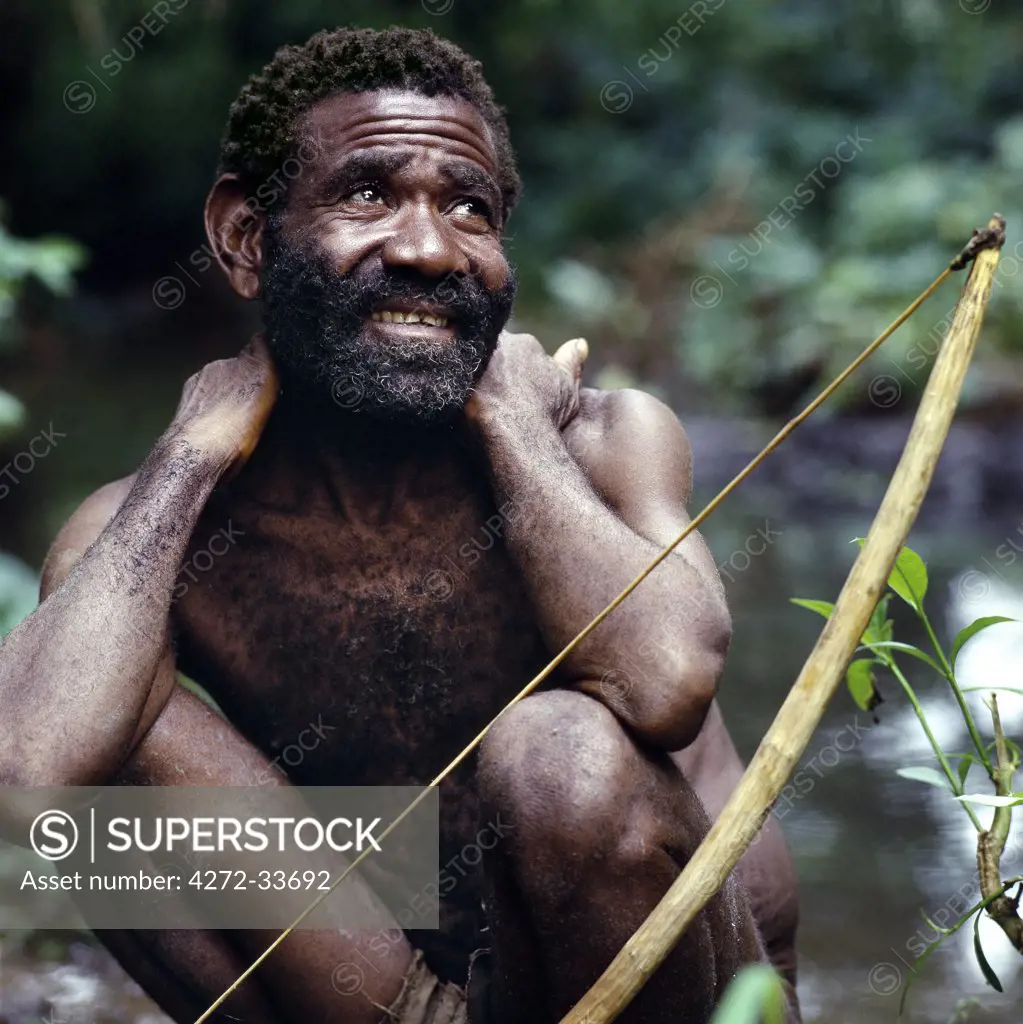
226,406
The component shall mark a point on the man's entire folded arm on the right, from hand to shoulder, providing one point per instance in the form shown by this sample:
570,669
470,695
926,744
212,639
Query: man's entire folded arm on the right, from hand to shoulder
600,482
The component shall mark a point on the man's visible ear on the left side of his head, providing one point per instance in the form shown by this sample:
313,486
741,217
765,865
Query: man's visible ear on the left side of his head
235,227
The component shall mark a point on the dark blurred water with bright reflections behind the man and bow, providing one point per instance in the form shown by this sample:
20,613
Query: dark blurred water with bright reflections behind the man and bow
873,850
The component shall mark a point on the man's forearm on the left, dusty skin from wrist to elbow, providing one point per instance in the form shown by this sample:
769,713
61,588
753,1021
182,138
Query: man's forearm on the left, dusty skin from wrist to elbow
75,676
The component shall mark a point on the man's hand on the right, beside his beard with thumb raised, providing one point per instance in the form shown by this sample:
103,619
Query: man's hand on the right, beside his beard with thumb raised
523,379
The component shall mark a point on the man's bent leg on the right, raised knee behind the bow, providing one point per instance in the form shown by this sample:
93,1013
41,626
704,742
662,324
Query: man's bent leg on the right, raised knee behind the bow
599,832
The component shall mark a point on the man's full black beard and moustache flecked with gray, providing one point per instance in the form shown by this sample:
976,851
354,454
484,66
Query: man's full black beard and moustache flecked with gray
317,328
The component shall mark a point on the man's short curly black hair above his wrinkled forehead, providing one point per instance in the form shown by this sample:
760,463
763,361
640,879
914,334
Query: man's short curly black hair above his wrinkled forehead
262,124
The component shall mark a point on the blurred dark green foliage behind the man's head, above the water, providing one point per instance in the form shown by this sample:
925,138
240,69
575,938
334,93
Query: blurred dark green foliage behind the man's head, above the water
654,138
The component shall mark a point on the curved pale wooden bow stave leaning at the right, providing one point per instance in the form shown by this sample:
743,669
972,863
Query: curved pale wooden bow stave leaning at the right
800,715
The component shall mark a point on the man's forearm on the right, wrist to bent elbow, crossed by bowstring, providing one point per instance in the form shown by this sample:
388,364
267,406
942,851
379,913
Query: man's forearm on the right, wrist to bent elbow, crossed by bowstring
657,659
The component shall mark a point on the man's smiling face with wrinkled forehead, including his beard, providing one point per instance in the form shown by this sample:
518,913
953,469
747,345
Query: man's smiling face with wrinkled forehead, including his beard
386,283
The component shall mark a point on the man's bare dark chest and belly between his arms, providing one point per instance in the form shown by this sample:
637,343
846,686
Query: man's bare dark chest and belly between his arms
358,654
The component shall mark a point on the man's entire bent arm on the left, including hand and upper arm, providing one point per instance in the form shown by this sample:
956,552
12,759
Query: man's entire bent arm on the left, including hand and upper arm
84,676
